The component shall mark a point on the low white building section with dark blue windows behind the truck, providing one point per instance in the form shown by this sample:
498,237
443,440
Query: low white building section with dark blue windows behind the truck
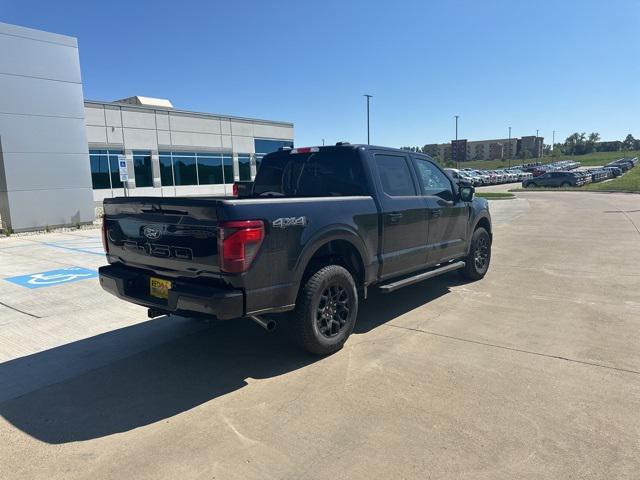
173,152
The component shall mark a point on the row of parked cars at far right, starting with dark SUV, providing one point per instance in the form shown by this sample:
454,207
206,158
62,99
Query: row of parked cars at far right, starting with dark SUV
578,178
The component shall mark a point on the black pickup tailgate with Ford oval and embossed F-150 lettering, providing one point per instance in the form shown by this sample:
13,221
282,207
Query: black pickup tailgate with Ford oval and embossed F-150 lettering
175,236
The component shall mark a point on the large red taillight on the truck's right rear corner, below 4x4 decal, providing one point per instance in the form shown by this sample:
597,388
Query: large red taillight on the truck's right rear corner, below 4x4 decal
238,244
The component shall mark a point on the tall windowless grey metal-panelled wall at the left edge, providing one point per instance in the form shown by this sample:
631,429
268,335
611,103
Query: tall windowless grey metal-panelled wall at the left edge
43,131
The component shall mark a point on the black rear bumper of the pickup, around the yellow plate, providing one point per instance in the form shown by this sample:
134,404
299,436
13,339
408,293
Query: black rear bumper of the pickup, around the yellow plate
132,285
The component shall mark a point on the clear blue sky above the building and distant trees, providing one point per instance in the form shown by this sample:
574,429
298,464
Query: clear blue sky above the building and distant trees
563,65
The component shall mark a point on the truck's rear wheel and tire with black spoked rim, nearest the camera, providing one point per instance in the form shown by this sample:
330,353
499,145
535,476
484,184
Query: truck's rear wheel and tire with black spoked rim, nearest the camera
326,311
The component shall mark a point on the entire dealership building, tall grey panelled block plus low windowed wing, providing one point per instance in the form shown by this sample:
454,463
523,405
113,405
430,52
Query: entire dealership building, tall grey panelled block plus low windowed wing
59,153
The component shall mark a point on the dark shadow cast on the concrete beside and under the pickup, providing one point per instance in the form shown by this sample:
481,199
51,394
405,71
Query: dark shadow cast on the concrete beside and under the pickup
165,380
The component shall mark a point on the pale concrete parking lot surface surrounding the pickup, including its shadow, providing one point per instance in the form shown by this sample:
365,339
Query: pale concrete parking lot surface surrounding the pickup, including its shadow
533,372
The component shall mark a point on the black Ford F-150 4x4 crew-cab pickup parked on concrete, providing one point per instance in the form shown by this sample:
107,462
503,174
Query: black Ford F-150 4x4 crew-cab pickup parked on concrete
317,228
